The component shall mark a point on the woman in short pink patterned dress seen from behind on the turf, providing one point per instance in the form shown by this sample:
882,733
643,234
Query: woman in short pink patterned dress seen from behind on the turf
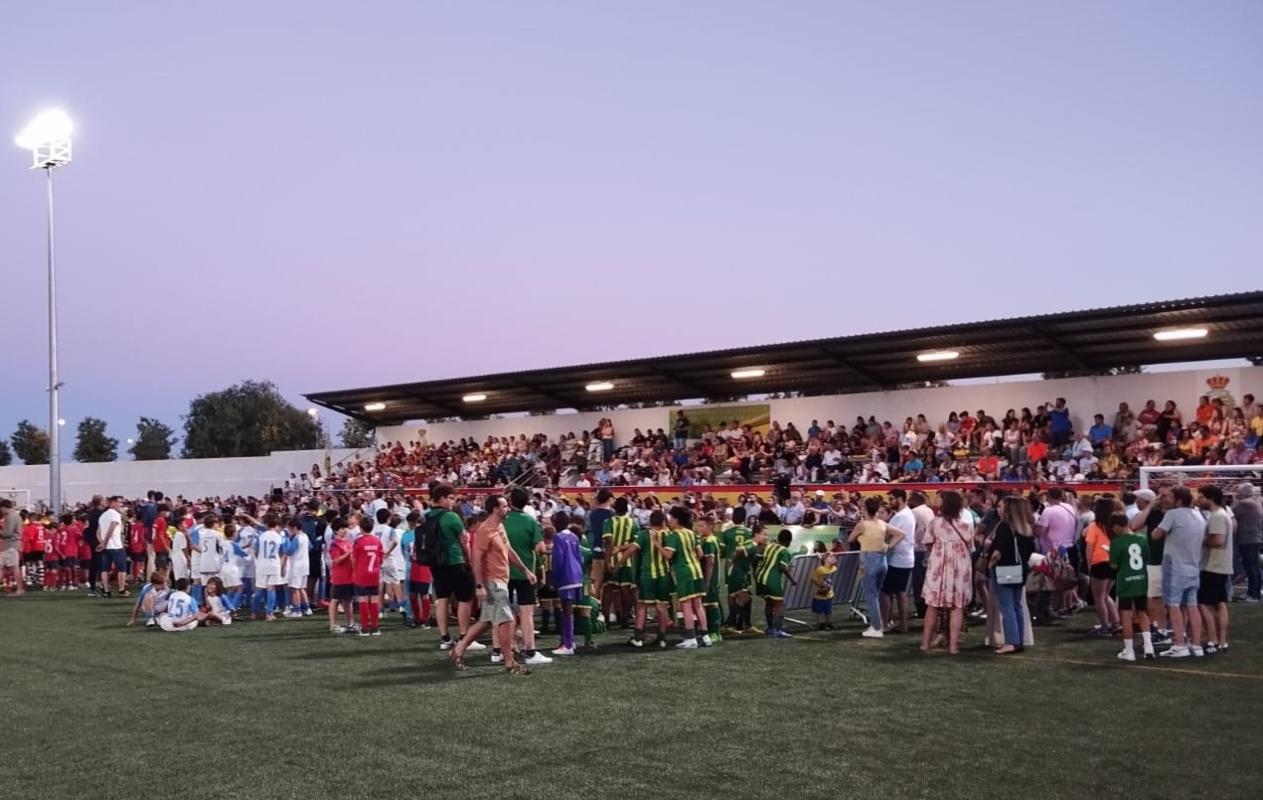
949,572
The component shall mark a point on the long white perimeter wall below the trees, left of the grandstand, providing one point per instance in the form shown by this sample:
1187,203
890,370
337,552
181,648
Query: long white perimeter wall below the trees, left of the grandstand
194,478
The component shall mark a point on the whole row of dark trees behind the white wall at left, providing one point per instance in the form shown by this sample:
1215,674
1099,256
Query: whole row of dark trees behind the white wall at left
249,419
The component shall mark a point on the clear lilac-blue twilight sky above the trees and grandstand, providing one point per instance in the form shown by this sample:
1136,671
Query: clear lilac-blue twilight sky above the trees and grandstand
332,198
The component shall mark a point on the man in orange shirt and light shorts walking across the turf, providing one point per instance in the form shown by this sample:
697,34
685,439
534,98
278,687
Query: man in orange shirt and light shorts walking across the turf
492,555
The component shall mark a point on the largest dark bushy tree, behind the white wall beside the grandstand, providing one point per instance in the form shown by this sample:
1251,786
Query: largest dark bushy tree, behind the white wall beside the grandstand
249,419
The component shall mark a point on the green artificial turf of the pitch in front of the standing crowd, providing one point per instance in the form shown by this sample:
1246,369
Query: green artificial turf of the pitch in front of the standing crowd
285,710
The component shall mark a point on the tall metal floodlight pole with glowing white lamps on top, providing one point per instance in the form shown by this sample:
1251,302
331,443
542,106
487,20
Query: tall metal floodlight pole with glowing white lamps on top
49,138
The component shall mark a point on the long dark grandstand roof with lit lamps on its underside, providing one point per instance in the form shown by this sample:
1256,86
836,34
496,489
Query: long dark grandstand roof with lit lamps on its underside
1075,342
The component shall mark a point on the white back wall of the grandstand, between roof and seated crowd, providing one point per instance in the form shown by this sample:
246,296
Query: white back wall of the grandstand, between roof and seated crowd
1086,397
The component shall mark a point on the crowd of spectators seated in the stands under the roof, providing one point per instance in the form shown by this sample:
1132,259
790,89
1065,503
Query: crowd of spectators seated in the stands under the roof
1024,445
